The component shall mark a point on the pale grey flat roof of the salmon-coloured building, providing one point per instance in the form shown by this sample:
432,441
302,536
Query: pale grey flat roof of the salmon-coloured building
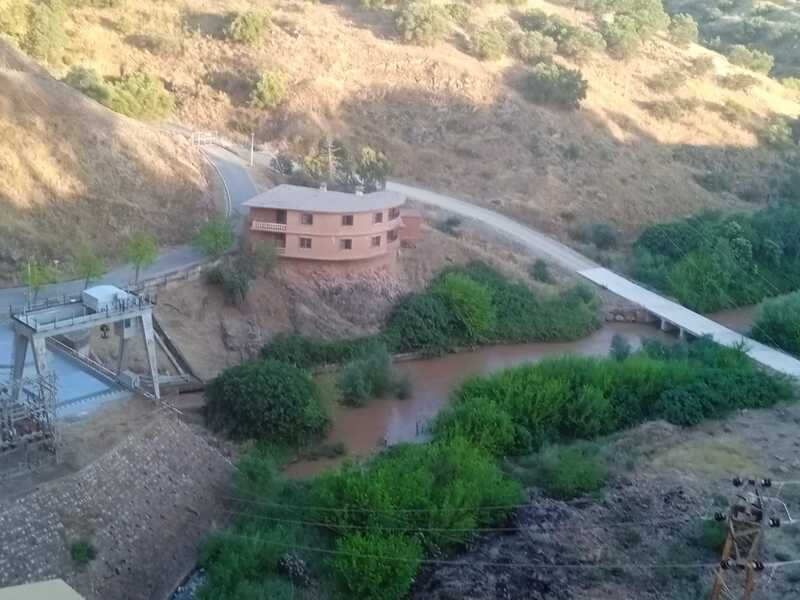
295,197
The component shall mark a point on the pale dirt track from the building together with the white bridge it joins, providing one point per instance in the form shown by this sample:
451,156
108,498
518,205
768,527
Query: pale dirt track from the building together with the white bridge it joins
672,315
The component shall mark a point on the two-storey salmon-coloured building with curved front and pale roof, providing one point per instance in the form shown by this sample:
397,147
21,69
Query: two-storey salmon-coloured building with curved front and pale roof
319,225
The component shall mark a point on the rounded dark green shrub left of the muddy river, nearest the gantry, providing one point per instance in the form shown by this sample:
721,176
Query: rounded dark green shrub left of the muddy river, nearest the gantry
265,399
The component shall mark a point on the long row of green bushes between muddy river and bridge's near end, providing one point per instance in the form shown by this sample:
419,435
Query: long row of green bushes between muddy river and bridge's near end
580,398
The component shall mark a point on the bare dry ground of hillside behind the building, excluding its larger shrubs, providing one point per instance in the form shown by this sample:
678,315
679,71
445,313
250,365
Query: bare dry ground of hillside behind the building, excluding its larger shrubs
446,119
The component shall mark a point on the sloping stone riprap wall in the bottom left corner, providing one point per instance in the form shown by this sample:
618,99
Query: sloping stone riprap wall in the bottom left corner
146,506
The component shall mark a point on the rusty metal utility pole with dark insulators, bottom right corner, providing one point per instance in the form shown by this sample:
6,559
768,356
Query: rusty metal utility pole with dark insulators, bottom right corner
735,578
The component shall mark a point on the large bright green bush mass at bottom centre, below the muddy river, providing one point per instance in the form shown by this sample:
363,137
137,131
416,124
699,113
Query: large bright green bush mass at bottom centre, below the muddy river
407,486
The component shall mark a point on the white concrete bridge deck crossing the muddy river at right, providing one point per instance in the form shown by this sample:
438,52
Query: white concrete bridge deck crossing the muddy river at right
690,321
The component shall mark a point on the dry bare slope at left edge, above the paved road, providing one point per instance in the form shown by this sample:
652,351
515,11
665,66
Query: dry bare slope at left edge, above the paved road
72,171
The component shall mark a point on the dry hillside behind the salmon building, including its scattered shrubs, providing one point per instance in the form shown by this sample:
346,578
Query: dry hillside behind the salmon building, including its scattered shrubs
455,98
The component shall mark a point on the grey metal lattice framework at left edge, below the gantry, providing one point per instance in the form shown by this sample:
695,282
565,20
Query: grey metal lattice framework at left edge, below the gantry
29,434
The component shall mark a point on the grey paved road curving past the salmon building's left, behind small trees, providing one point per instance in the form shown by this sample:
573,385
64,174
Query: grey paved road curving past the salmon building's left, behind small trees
240,188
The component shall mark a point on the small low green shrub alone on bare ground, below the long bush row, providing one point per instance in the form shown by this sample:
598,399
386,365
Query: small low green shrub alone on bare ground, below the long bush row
567,473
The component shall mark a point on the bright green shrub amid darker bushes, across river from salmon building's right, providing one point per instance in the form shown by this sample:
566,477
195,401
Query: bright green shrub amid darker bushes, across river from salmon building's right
470,302
